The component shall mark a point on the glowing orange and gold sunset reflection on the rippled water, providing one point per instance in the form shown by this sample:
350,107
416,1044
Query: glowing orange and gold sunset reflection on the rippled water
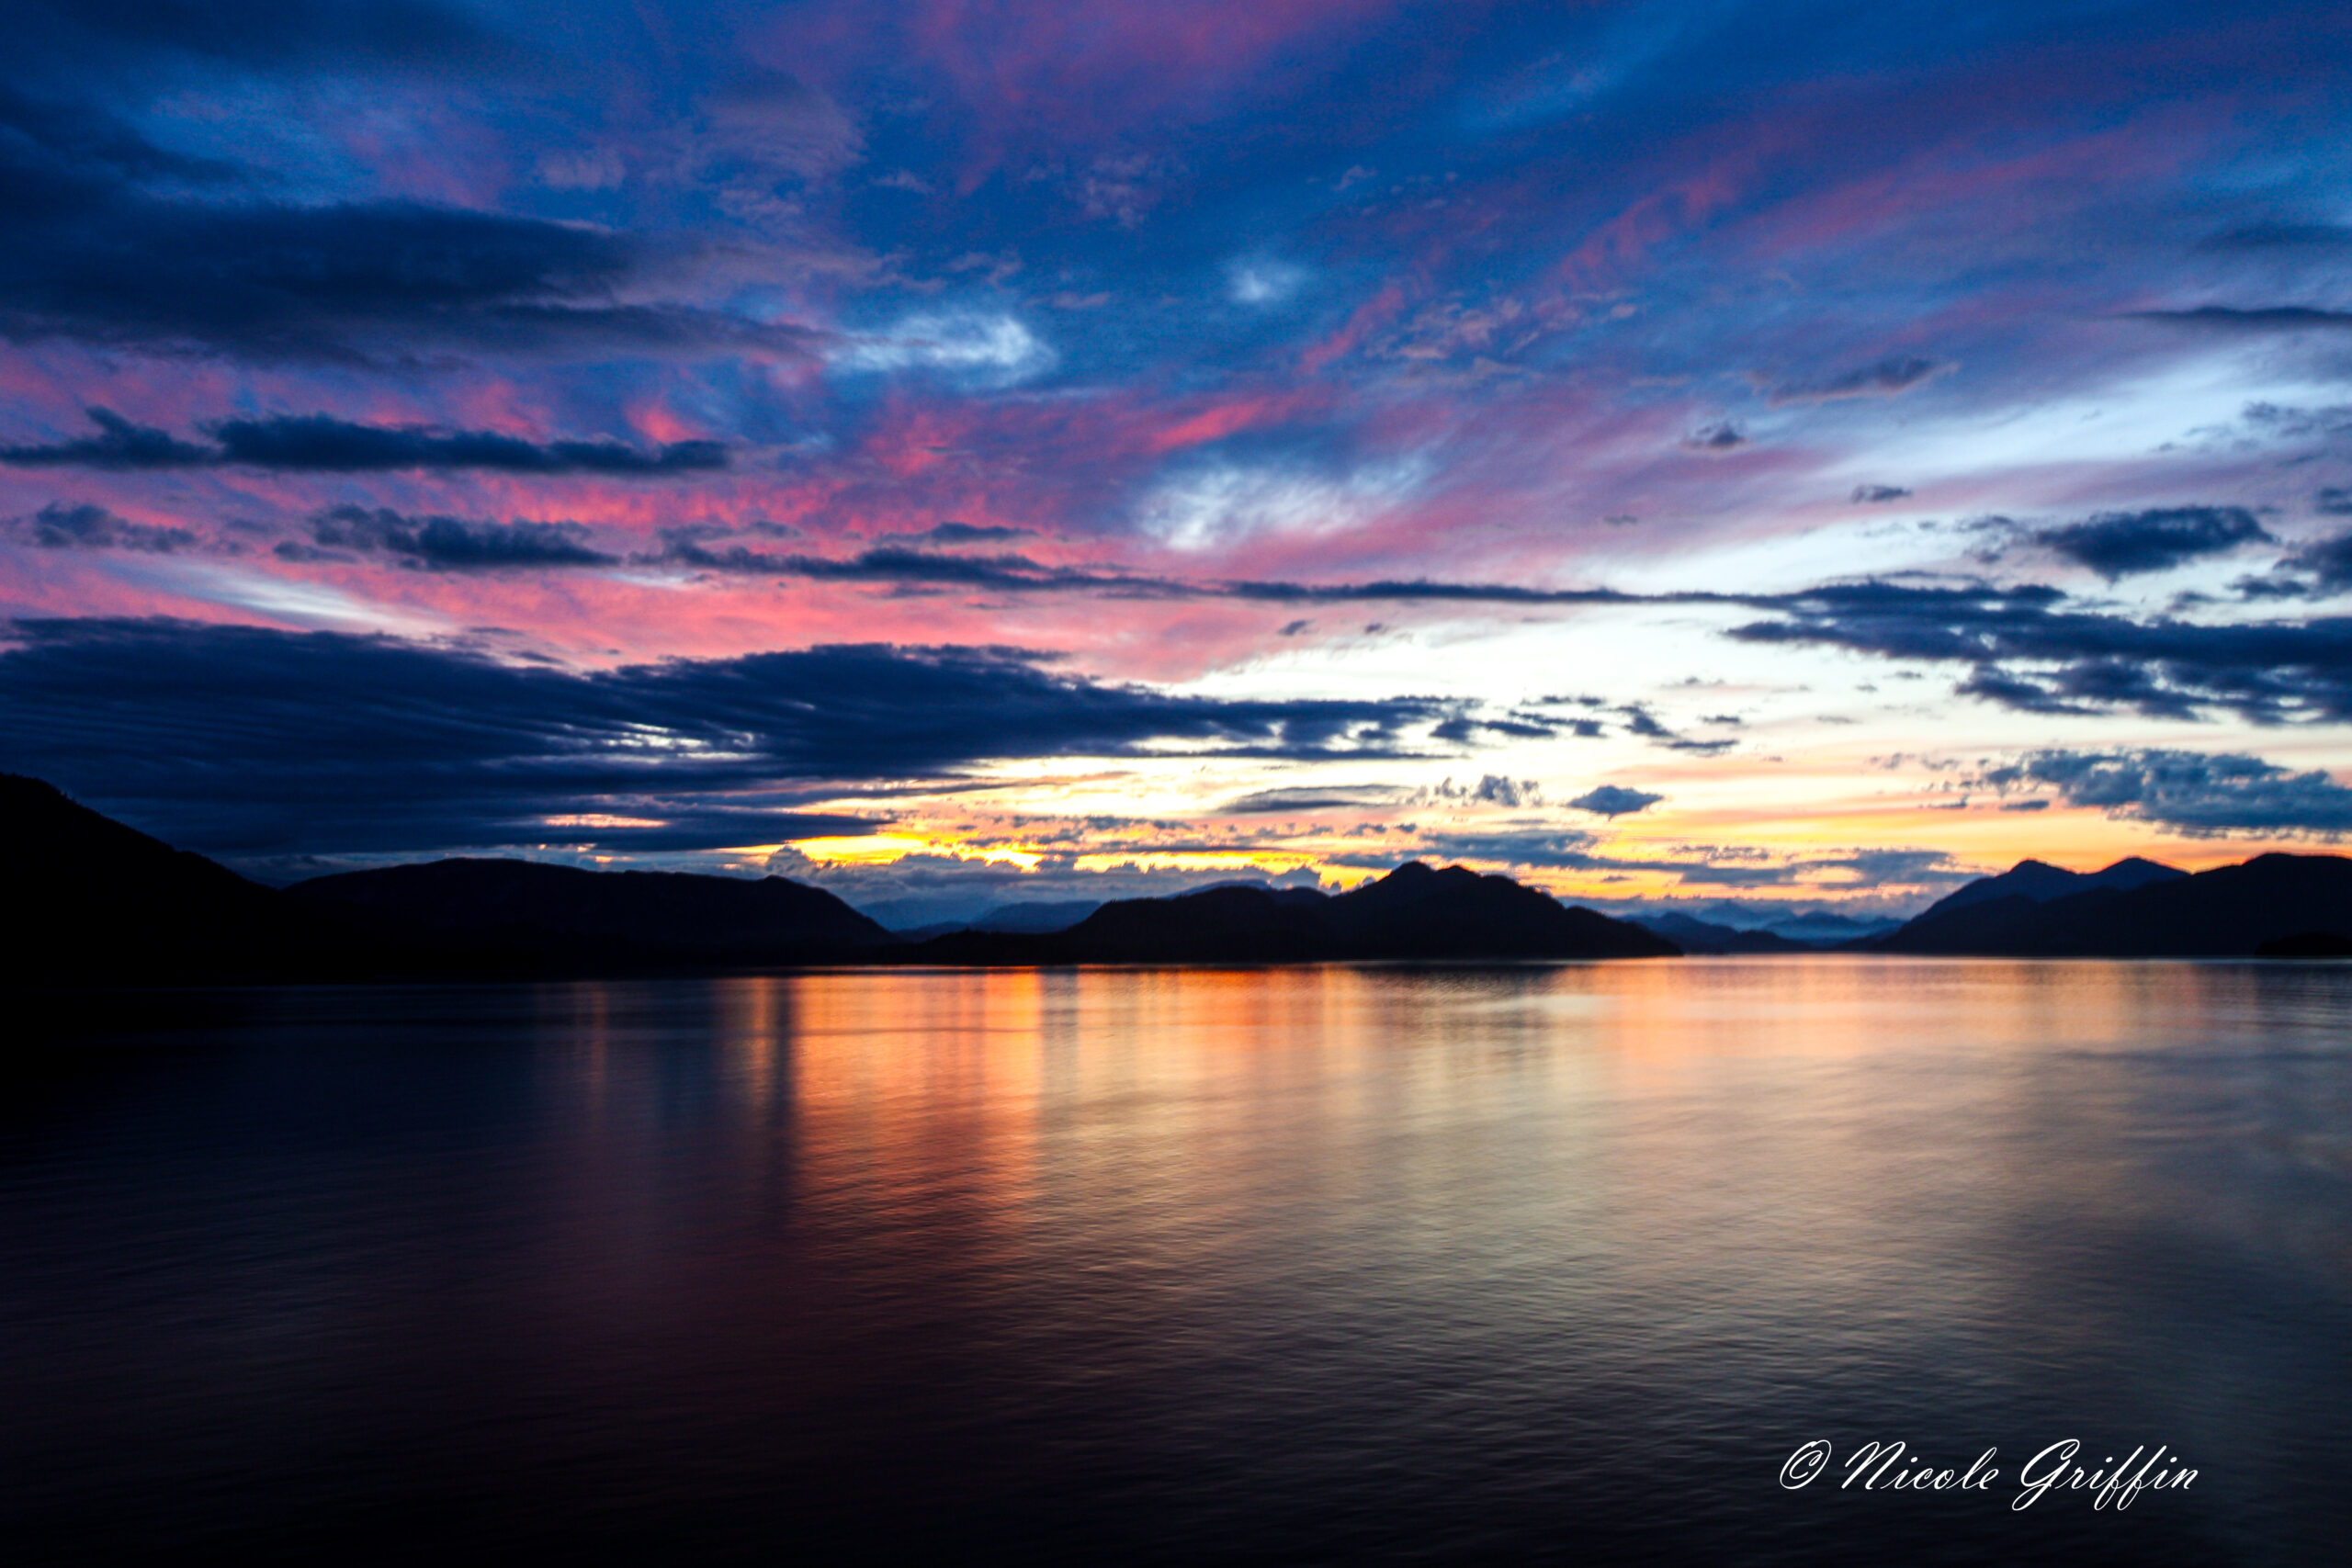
1876,1106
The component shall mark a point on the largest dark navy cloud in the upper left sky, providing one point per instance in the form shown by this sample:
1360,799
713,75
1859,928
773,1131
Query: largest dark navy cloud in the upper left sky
105,248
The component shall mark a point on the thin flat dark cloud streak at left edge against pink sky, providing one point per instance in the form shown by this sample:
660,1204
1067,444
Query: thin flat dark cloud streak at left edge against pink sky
321,443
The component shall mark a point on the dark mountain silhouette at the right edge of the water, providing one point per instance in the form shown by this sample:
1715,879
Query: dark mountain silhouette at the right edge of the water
2224,913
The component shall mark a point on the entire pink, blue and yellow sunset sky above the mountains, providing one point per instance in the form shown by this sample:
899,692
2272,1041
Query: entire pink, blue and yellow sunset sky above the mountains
970,453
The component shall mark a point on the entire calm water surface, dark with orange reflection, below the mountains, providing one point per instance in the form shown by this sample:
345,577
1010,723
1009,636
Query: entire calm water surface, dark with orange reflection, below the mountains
1307,1266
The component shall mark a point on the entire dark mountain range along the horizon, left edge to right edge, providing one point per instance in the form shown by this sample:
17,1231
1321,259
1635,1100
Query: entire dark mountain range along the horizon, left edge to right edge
100,904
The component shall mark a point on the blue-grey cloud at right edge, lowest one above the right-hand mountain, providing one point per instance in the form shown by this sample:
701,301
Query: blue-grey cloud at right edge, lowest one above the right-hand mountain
2193,793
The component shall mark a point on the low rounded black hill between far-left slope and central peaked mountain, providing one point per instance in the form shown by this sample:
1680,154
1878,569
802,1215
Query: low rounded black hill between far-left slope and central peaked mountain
577,918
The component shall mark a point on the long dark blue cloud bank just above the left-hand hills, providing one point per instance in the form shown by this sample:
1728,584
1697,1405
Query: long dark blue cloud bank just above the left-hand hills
260,742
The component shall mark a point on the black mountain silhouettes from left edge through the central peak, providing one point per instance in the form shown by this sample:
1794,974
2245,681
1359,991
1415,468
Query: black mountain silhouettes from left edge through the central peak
102,904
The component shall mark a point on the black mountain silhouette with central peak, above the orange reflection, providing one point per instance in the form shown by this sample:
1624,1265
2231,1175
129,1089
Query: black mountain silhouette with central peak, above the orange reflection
1412,913
